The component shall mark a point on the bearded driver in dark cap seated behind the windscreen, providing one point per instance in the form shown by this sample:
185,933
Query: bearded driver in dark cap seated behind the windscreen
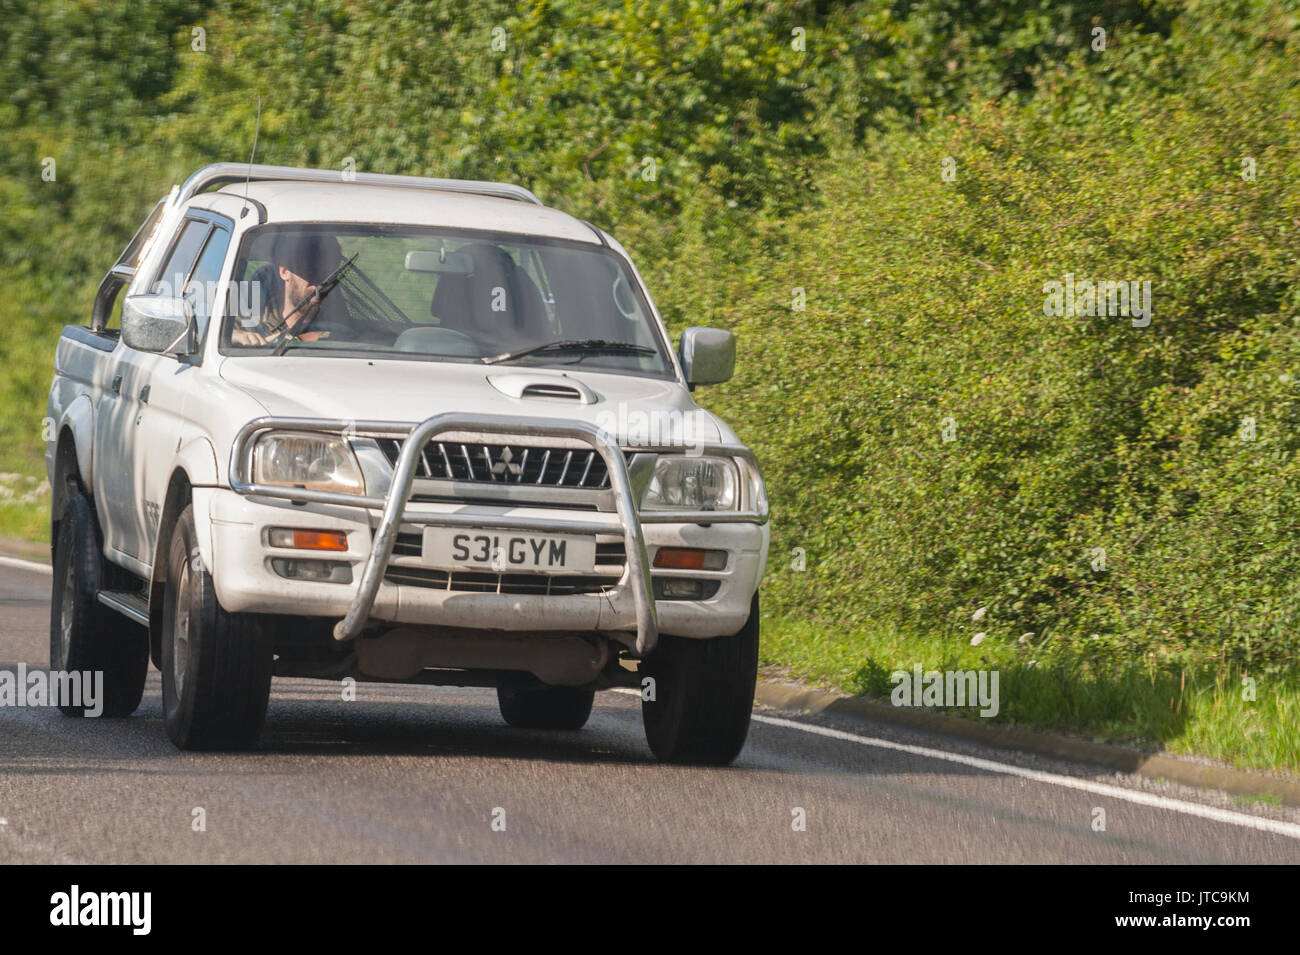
298,266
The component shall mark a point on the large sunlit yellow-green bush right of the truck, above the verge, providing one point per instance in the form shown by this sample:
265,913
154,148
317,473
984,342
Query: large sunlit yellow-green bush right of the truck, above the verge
1172,449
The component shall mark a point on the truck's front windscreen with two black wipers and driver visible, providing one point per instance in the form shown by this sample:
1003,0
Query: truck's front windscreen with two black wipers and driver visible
444,296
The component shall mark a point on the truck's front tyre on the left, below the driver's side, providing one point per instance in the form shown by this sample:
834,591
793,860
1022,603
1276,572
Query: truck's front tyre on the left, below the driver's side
216,666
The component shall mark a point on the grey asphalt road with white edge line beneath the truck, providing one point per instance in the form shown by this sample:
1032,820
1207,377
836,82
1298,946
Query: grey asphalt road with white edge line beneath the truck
418,775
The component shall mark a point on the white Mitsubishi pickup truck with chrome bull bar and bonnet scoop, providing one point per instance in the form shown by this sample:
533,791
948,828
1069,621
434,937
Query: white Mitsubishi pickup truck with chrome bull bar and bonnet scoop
398,429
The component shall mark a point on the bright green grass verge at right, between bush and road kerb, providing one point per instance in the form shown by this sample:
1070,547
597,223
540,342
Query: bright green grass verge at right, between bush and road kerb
1188,710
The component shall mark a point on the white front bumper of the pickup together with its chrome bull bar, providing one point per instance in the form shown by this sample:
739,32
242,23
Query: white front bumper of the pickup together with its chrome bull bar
246,581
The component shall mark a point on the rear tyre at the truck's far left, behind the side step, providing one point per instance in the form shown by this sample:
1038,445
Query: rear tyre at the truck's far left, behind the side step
84,633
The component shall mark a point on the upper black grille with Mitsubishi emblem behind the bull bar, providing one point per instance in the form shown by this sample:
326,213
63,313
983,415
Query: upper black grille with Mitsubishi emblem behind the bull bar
510,465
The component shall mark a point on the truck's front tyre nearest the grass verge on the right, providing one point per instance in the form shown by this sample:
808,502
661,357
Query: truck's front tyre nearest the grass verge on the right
704,693
